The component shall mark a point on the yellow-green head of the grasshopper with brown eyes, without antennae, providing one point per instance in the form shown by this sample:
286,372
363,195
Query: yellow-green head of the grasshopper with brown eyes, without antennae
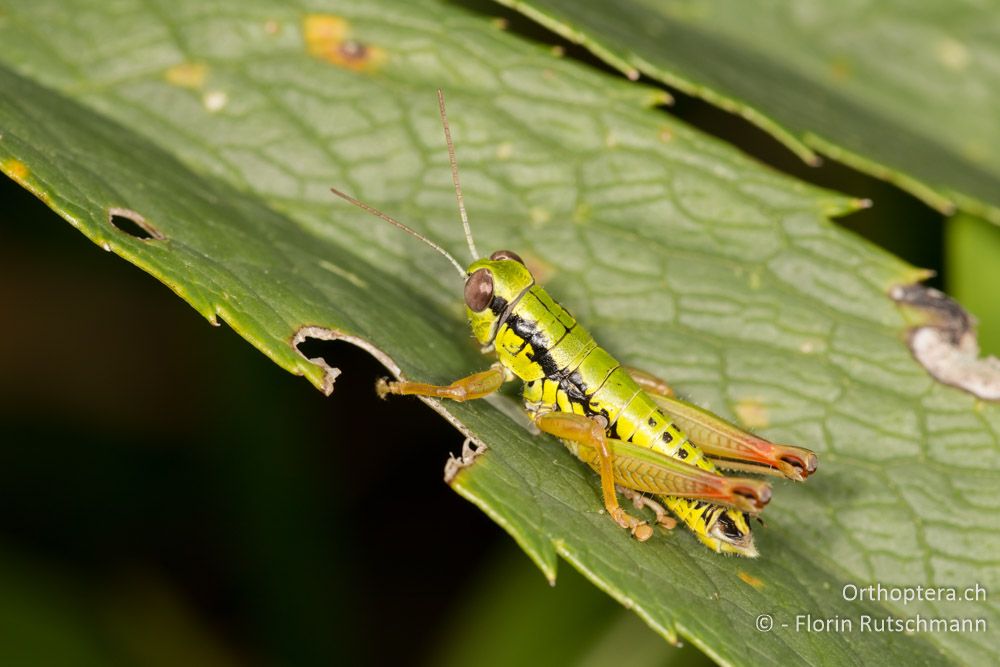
492,286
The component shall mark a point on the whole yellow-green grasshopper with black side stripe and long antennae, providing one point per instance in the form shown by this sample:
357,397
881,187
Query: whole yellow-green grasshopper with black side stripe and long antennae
624,423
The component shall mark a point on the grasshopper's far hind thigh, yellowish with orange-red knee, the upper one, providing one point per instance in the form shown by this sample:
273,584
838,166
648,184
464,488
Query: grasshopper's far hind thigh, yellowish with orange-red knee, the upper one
729,446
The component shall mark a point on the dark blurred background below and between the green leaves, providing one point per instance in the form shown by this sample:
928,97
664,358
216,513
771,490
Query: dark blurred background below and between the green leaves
169,496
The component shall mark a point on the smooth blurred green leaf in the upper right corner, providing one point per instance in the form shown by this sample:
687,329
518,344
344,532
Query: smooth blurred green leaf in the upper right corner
904,91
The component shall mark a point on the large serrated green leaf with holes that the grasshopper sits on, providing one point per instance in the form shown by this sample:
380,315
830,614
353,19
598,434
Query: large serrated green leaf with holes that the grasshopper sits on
224,126
